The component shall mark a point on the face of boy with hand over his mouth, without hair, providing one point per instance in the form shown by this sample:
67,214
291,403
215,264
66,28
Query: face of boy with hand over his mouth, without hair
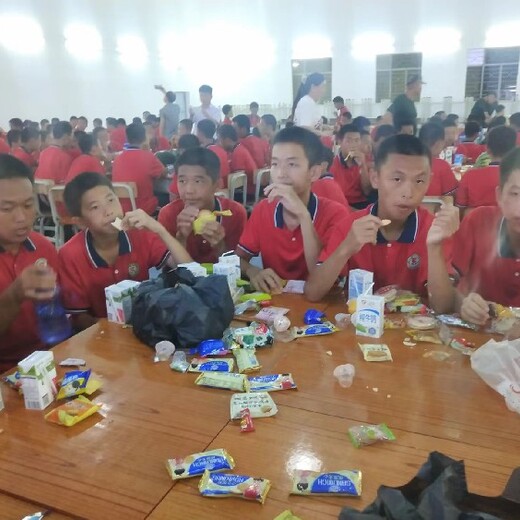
290,166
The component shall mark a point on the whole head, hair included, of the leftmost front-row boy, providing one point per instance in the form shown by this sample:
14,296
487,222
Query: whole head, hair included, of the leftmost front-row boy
17,211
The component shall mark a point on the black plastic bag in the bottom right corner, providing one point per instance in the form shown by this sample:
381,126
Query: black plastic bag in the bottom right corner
439,492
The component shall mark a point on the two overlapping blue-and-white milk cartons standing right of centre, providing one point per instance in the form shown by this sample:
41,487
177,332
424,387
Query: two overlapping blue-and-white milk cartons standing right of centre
370,309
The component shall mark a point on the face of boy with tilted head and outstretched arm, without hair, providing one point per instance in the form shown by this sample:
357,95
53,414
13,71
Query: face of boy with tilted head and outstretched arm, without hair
99,208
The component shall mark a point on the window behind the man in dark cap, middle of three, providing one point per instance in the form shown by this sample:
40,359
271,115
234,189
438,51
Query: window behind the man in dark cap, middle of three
393,71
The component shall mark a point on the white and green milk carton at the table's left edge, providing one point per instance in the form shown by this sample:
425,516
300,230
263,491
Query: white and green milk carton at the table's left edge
38,378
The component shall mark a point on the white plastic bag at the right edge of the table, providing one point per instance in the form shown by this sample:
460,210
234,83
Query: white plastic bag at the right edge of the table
498,364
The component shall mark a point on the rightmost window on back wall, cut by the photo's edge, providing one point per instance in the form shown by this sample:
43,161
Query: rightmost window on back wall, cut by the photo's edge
494,70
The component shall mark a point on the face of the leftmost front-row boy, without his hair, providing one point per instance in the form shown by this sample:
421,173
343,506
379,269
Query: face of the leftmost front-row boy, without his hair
17,211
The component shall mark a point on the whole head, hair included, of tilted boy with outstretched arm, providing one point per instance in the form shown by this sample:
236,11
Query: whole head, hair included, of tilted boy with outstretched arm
91,201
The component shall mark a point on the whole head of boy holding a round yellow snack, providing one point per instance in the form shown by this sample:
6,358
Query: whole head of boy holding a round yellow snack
198,173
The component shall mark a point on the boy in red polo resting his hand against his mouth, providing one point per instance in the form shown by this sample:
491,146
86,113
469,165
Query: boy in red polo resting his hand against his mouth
289,228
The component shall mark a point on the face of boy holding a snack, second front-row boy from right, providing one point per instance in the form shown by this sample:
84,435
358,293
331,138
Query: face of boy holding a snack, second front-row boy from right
402,181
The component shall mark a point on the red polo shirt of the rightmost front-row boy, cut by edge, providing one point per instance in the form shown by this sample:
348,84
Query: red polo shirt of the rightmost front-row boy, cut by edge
484,258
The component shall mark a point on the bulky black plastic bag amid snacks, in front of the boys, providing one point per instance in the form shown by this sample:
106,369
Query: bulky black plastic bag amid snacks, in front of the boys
182,308
